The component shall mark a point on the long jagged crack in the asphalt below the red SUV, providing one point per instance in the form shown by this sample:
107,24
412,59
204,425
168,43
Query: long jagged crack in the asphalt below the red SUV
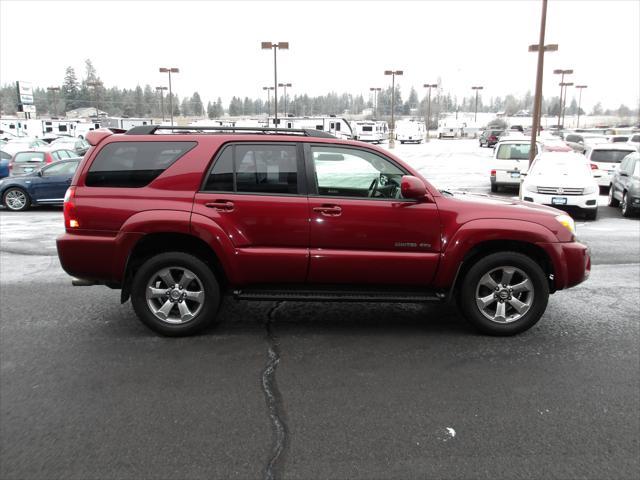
273,399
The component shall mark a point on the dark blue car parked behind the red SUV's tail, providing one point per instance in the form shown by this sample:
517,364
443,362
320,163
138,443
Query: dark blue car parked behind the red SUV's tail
46,186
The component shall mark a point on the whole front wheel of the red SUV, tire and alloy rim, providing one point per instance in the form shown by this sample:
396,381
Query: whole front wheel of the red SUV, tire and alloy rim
504,293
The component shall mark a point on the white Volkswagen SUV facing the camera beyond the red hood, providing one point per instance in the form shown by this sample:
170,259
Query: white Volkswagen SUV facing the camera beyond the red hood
562,180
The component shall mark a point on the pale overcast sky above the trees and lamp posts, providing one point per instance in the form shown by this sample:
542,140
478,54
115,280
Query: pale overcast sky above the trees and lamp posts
334,46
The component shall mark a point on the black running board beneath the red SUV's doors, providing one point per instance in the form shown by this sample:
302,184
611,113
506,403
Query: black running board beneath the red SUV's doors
338,295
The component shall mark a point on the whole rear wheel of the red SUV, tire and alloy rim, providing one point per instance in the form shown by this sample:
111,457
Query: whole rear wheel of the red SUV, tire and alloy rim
175,294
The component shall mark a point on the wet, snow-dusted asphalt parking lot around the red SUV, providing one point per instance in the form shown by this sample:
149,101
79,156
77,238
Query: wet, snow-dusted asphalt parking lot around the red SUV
302,390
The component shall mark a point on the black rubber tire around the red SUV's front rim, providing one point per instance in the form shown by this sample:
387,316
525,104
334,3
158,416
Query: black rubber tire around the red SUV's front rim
467,294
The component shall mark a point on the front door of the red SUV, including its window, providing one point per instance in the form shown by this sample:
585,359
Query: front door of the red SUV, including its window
362,230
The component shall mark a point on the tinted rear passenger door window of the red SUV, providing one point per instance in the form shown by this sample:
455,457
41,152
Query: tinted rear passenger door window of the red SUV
249,168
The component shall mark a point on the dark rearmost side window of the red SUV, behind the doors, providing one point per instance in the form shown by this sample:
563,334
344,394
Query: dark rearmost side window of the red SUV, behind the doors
134,164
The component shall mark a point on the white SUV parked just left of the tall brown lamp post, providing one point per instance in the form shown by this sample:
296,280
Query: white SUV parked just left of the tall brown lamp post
510,160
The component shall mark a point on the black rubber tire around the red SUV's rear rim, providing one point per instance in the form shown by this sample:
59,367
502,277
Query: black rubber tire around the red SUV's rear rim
204,316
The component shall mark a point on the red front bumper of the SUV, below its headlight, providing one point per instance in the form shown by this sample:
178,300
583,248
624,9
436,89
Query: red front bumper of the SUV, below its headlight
571,263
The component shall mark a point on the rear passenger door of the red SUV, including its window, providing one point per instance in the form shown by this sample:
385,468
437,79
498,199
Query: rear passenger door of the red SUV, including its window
256,193
